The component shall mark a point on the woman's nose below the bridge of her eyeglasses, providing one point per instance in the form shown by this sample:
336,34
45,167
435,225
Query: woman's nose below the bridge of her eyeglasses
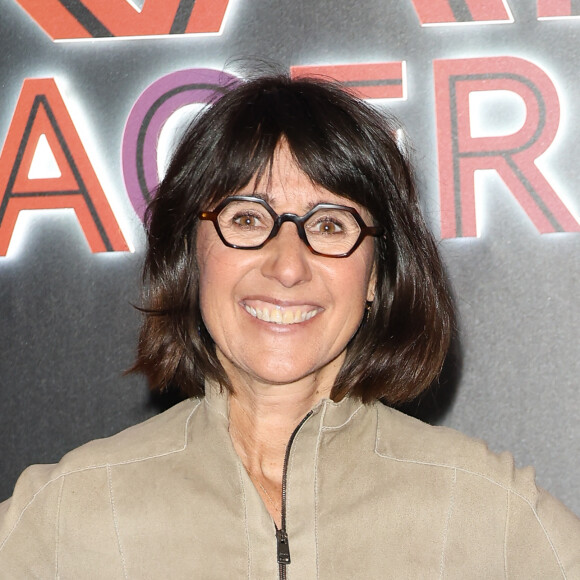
286,257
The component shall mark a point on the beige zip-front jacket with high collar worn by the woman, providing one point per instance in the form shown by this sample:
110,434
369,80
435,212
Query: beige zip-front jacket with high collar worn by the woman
371,493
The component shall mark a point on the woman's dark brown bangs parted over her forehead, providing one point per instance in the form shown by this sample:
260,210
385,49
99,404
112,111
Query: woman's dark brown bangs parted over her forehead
322,136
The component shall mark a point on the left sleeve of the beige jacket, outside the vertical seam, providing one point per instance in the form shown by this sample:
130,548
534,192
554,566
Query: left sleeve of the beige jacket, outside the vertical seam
60,523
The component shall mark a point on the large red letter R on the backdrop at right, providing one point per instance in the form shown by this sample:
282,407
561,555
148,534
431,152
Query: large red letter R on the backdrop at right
512,156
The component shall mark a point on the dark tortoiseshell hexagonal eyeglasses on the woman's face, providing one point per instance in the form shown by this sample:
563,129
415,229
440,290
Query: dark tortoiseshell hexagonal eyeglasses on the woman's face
248,223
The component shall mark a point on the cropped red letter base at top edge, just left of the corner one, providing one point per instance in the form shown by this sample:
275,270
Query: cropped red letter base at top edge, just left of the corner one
432,12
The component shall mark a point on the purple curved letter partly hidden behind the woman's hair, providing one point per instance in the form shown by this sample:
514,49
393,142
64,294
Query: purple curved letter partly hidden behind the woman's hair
147,117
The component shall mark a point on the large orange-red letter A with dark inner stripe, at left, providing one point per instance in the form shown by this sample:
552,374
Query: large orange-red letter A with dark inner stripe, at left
41,111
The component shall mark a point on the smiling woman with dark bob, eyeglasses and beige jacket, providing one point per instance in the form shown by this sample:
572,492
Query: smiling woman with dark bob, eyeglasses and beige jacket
291,284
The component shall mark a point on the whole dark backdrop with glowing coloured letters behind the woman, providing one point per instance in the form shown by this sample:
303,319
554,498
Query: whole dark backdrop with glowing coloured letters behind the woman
92,95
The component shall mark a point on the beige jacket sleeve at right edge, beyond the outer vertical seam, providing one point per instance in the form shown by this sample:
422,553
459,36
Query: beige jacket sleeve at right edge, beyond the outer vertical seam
542,538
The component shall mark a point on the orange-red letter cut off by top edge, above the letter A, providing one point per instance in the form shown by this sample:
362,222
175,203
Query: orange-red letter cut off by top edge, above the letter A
111,18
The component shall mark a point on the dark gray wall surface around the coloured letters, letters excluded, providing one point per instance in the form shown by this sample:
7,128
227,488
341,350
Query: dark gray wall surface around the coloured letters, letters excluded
67,327
